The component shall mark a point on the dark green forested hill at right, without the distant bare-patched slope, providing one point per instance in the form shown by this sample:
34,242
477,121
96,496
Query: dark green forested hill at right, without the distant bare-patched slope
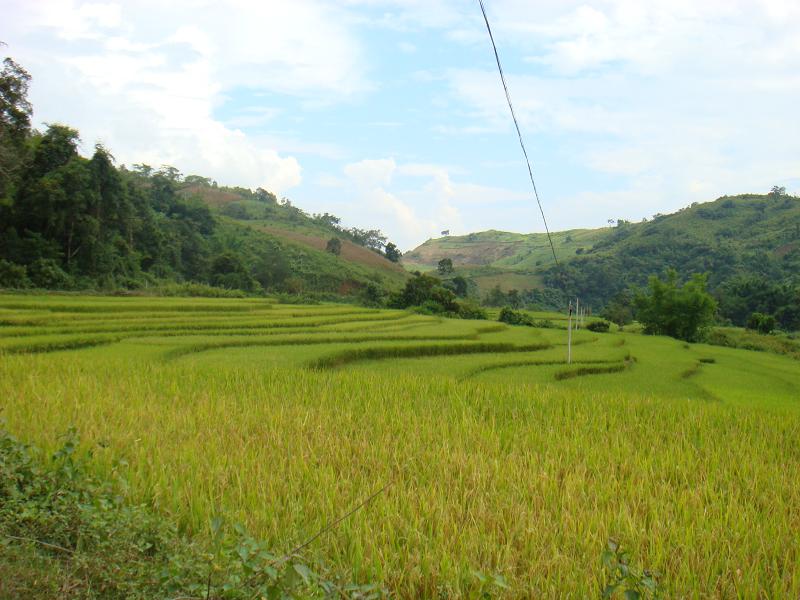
753,239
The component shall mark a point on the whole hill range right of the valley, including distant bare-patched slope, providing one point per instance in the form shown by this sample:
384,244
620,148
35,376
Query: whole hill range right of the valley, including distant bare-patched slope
749,245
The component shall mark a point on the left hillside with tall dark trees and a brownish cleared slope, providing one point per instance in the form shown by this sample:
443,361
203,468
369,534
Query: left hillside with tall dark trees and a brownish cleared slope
73,222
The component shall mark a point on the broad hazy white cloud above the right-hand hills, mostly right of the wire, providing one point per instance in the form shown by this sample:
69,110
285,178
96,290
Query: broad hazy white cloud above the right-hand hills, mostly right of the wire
679,101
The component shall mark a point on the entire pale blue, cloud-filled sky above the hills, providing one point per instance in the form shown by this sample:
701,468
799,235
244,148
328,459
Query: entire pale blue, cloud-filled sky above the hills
391,115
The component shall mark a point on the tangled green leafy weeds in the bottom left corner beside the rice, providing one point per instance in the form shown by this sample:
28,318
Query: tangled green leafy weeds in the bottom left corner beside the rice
84,541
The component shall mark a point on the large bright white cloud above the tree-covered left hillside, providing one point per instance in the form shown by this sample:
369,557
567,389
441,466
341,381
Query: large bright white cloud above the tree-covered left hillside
146,78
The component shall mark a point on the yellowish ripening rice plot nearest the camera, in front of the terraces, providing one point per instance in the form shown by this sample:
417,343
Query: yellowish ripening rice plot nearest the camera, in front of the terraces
523,481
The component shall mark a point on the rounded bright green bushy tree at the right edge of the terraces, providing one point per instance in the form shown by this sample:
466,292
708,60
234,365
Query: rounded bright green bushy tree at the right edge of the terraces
684,312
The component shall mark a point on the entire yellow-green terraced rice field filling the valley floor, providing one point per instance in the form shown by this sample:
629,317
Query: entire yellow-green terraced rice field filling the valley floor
500,457
